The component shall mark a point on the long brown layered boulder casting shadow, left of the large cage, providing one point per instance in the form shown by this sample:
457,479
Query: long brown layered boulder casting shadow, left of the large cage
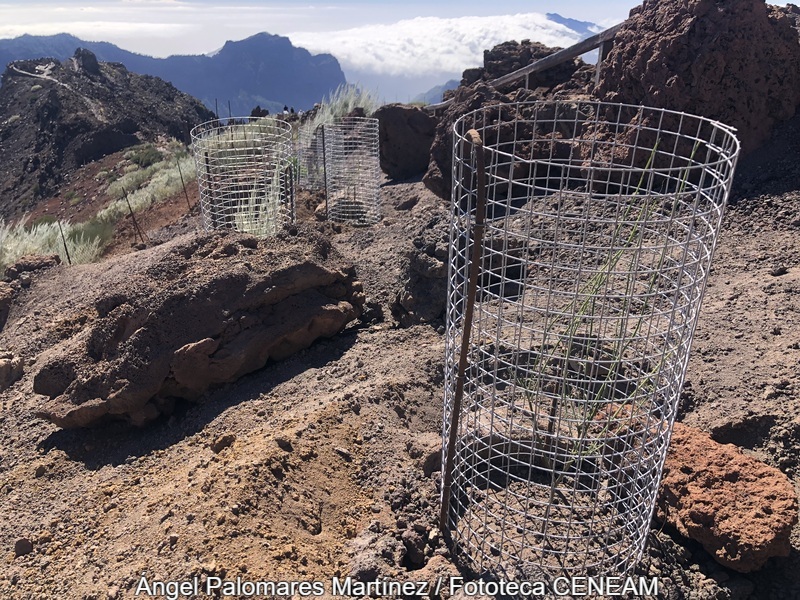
205,312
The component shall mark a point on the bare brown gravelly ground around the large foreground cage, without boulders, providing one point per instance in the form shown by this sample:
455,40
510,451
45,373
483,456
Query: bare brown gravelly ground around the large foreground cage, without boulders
324,464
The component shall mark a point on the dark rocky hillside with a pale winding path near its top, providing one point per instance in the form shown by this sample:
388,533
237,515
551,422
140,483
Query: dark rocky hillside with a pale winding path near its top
55,117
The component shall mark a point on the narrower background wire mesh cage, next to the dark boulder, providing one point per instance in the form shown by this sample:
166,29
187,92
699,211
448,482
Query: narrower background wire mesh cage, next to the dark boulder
352,170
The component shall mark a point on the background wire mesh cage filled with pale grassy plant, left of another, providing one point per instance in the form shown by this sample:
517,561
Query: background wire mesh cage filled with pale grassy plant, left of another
244,171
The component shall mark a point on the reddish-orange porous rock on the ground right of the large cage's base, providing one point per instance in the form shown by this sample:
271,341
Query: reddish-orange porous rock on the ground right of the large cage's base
739,509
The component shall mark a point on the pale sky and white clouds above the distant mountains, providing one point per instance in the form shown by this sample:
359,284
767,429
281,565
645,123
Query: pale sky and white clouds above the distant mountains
375,41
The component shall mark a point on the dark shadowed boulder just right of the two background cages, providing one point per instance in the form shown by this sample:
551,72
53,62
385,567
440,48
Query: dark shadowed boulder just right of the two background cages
406,134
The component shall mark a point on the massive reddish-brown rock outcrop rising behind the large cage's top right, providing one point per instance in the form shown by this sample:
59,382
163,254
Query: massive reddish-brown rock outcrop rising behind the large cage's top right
735,62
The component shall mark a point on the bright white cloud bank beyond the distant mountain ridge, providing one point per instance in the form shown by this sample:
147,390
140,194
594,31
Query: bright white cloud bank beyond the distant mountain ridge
430,45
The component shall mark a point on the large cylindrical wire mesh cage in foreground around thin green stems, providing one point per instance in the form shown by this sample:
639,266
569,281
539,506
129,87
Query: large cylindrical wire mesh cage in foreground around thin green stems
600,223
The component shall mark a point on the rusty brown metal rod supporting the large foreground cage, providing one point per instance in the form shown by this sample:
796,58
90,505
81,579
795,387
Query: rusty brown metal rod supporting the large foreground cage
474,269
